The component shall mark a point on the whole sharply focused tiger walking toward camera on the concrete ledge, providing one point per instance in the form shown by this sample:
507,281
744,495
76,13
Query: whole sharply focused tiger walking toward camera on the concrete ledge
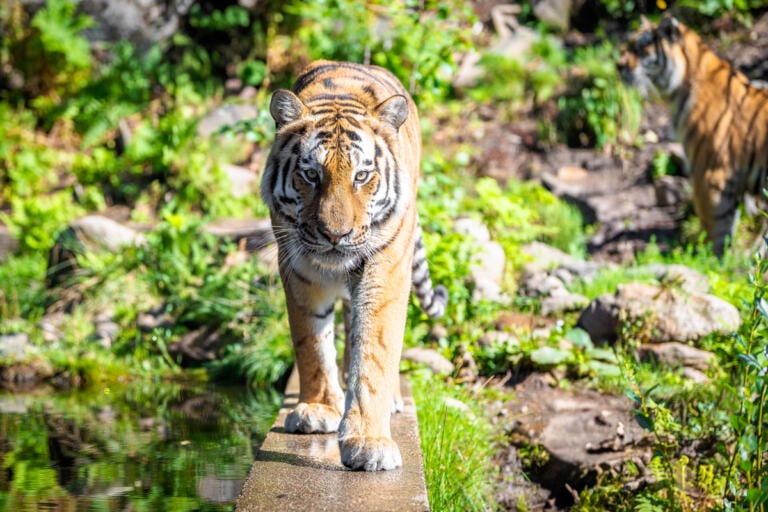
340,182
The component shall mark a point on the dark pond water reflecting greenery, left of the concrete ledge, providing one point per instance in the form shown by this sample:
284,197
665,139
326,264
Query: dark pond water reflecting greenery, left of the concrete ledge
164,448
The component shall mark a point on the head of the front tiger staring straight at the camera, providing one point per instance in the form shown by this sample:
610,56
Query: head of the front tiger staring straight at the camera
332,180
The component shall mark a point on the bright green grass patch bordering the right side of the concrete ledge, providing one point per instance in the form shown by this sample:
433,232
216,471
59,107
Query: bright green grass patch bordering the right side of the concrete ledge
457,442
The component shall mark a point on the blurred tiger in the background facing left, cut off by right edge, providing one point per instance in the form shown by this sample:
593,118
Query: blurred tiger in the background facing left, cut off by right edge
720,118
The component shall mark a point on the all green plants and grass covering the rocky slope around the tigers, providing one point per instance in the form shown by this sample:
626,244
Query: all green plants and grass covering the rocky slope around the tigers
62,102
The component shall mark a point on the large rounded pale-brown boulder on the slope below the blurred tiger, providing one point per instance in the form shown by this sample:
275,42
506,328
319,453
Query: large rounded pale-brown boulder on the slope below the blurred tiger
668,312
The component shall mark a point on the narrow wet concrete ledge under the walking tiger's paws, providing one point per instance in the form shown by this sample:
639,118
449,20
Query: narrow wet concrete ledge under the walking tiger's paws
303,472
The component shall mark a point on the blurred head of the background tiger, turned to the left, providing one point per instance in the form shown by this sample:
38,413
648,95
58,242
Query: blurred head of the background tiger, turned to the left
653,58
